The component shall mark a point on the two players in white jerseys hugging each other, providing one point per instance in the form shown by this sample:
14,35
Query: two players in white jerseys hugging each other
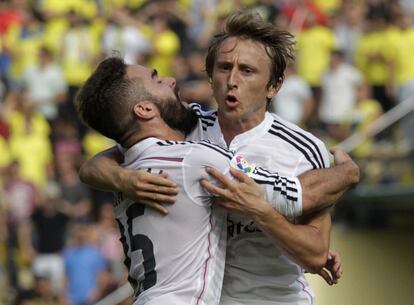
252,191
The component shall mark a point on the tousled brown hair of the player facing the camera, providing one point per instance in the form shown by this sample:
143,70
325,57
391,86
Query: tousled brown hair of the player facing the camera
279,44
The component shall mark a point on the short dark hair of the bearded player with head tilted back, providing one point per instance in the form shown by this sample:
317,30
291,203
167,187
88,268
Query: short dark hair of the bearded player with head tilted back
106,100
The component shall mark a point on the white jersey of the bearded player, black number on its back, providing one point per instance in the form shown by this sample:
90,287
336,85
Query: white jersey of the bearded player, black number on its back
178,259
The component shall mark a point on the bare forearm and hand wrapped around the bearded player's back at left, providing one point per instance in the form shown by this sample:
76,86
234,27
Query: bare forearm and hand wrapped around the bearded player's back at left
104,172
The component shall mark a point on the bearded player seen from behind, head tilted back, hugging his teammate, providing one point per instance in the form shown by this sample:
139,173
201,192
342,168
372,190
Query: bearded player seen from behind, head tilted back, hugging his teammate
177,259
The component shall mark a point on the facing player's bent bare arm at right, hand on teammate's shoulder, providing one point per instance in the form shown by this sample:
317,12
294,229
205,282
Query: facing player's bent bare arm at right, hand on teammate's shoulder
307,243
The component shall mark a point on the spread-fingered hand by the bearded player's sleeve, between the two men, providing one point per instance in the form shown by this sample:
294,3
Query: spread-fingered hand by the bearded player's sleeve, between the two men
242,197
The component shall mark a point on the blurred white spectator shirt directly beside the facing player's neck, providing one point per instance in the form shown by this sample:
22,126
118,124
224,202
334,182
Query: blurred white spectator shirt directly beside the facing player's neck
288,102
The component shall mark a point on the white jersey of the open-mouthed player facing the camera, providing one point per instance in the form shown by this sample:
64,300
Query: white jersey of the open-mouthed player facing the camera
257,272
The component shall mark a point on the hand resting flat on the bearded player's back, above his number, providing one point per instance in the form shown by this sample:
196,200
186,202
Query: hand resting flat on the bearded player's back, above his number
153,190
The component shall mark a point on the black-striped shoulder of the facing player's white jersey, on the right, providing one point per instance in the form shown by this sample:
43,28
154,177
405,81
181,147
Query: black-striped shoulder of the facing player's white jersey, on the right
303,142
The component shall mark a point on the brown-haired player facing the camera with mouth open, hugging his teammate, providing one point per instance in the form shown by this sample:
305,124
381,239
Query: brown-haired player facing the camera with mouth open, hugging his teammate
266,255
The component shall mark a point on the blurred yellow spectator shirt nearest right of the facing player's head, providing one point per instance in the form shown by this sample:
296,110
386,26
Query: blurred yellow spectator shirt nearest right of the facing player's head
314,46
